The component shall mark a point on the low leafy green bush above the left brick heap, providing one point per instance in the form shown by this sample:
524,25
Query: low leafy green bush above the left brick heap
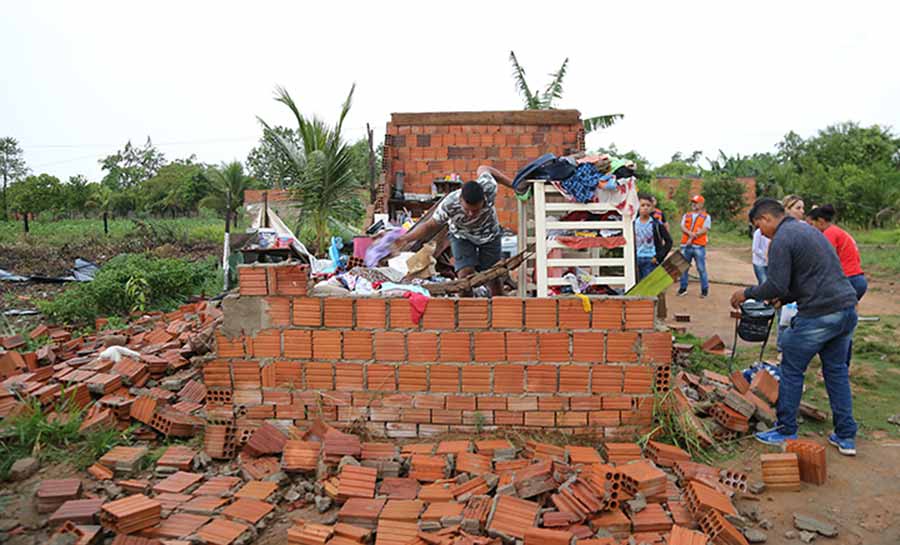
165,284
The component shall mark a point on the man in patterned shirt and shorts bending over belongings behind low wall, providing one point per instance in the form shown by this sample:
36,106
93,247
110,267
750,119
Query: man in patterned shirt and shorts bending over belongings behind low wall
475,231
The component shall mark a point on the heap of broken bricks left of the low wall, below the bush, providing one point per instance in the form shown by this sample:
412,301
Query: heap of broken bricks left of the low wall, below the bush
144,372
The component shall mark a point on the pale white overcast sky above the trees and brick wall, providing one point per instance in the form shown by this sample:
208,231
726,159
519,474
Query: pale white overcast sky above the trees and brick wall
82,78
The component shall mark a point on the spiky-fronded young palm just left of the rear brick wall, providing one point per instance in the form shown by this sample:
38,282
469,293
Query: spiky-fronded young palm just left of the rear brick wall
328,186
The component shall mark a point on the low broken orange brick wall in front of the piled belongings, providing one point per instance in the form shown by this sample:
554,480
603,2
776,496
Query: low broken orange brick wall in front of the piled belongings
470,364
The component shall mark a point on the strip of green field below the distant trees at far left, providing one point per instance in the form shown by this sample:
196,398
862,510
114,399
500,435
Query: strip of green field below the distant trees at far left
58,233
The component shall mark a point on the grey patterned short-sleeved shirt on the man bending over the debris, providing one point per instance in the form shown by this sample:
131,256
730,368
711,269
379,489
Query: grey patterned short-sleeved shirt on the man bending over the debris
478,230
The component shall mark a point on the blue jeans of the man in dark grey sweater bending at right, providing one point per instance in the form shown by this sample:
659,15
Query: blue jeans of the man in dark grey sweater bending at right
828,336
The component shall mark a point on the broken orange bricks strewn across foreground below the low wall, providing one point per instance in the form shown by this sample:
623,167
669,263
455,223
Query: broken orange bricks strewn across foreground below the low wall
451,492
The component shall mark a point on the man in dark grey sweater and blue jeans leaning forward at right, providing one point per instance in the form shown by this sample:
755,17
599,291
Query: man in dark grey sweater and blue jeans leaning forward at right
804,267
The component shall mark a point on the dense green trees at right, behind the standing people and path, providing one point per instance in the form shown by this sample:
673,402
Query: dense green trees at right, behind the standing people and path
853,167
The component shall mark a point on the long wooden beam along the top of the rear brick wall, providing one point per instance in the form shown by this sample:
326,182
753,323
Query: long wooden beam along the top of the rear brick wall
514,117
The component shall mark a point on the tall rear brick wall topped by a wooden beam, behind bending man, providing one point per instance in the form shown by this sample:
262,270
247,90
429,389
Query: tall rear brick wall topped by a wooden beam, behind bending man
431,145
